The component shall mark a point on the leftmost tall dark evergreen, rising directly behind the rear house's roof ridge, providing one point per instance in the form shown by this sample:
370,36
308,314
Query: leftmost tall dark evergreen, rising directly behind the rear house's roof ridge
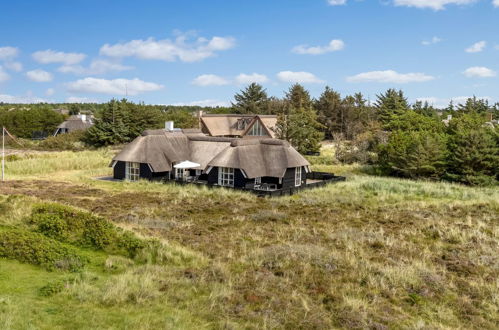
251,100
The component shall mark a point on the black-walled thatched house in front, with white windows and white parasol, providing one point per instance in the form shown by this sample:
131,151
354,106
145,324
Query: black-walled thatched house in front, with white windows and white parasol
189,155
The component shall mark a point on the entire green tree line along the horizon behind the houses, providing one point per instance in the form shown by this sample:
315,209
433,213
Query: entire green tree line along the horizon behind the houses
398,138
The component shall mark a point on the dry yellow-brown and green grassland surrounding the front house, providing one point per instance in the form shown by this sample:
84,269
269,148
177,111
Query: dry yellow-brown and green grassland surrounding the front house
371,252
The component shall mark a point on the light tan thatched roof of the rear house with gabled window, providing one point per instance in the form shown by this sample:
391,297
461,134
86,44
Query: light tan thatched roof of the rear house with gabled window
236,125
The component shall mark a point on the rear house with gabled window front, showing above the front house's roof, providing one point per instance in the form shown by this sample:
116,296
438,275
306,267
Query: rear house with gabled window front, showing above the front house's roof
242,126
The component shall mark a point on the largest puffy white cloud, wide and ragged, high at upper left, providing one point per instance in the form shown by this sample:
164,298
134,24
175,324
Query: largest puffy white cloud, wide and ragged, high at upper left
170,50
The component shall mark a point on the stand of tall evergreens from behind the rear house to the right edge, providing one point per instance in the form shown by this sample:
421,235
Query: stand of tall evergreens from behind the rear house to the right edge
400,139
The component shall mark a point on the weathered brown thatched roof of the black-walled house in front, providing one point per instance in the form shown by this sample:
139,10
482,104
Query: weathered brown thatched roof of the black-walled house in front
257,157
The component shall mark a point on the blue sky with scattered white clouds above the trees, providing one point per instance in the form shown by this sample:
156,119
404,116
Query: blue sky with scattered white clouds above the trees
201,52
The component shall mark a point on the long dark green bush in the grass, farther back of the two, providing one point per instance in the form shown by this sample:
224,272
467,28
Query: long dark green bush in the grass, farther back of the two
83,229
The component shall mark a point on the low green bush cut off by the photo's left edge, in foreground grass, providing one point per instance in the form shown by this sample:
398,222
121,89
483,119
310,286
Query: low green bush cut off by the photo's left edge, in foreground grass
39,250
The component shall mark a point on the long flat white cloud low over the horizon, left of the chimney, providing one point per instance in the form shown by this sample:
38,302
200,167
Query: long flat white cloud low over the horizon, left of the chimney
115,86
